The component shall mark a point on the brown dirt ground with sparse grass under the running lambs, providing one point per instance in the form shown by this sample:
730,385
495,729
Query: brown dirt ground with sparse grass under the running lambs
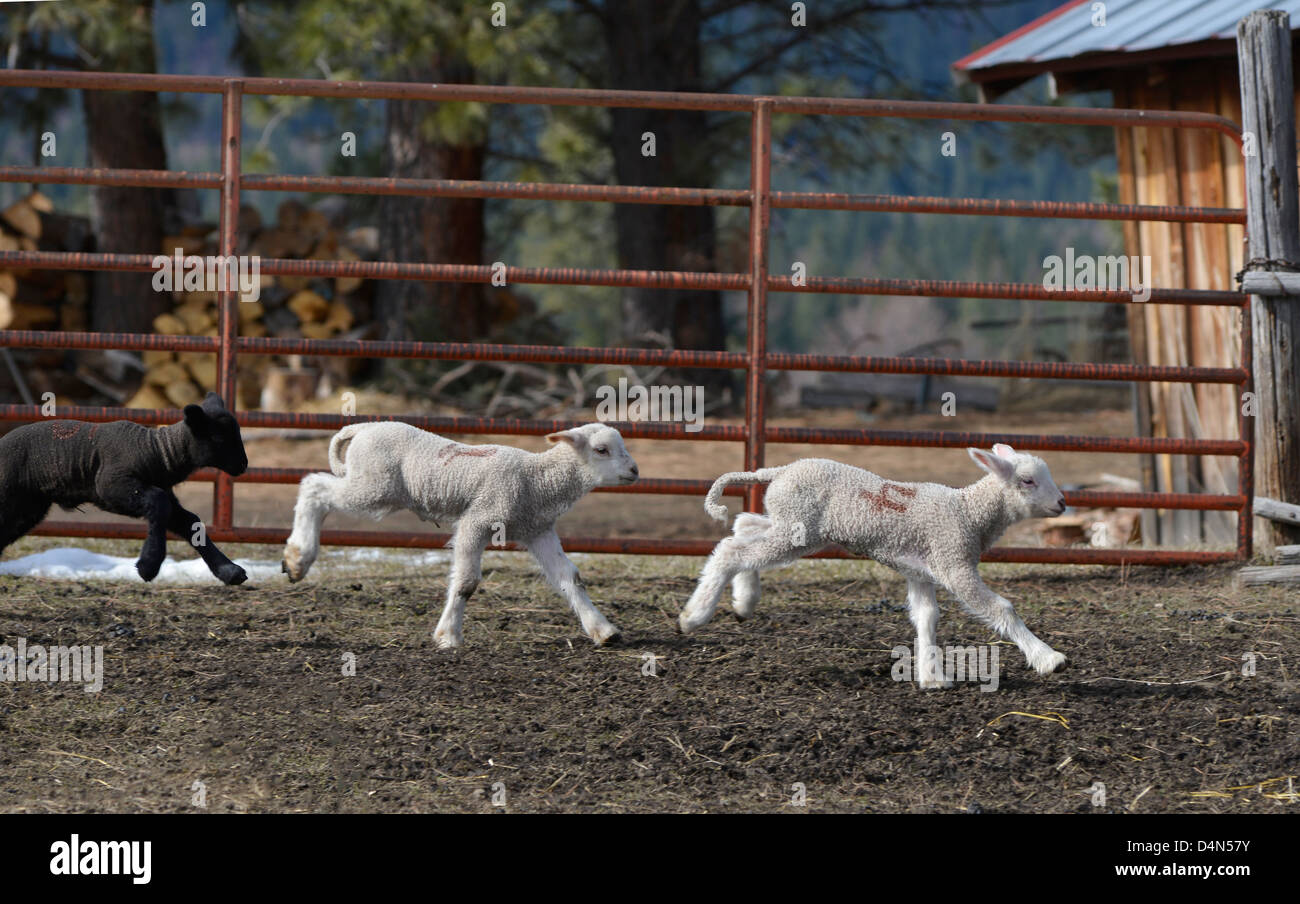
242,689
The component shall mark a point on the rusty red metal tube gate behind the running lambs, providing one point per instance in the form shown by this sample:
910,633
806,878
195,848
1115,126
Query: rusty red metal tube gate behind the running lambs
756,361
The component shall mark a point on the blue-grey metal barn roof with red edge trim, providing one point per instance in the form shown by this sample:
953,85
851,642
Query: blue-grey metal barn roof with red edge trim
1133,27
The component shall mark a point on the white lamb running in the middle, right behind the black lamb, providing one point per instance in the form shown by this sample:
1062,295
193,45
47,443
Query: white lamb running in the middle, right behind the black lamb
495,495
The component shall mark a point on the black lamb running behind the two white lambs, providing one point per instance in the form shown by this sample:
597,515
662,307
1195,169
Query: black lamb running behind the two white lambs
124,469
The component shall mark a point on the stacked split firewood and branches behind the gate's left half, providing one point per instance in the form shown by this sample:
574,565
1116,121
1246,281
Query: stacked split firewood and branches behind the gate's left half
285,308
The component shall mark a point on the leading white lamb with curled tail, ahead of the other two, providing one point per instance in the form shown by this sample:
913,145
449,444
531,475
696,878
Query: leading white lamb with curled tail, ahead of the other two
933,535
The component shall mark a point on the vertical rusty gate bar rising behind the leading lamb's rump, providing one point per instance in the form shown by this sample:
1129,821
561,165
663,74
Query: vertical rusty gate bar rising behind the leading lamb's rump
760,220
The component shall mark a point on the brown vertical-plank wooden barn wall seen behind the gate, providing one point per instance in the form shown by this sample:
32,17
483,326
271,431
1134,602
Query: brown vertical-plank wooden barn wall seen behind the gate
1194,168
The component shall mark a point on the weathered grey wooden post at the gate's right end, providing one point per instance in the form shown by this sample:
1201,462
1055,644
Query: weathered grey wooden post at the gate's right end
1273,236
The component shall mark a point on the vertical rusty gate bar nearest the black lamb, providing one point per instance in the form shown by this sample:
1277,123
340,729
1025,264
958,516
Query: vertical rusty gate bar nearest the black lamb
228,299
